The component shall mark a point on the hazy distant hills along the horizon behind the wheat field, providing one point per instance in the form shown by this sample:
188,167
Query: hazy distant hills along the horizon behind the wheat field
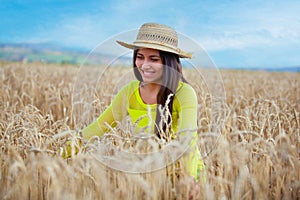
53,53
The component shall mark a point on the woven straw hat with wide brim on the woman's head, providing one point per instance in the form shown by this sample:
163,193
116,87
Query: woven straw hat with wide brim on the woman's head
157,36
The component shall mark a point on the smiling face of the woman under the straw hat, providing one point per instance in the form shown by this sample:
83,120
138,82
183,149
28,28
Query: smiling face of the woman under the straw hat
149,64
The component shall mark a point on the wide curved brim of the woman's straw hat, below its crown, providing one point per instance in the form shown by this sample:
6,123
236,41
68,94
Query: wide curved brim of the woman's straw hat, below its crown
156,46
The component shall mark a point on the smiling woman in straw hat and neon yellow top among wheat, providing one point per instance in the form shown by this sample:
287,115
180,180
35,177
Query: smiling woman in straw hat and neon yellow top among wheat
160,89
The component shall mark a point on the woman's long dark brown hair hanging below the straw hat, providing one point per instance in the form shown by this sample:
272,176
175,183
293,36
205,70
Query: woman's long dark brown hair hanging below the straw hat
172,74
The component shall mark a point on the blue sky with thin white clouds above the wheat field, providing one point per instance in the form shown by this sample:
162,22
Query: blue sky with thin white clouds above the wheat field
235,33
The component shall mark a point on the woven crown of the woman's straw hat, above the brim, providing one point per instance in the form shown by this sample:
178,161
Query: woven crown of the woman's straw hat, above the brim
157,33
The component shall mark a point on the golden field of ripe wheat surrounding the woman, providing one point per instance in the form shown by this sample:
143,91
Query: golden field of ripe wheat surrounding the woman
254,155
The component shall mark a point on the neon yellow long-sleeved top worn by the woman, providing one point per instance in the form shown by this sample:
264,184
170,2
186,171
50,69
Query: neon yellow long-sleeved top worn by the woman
129,102
